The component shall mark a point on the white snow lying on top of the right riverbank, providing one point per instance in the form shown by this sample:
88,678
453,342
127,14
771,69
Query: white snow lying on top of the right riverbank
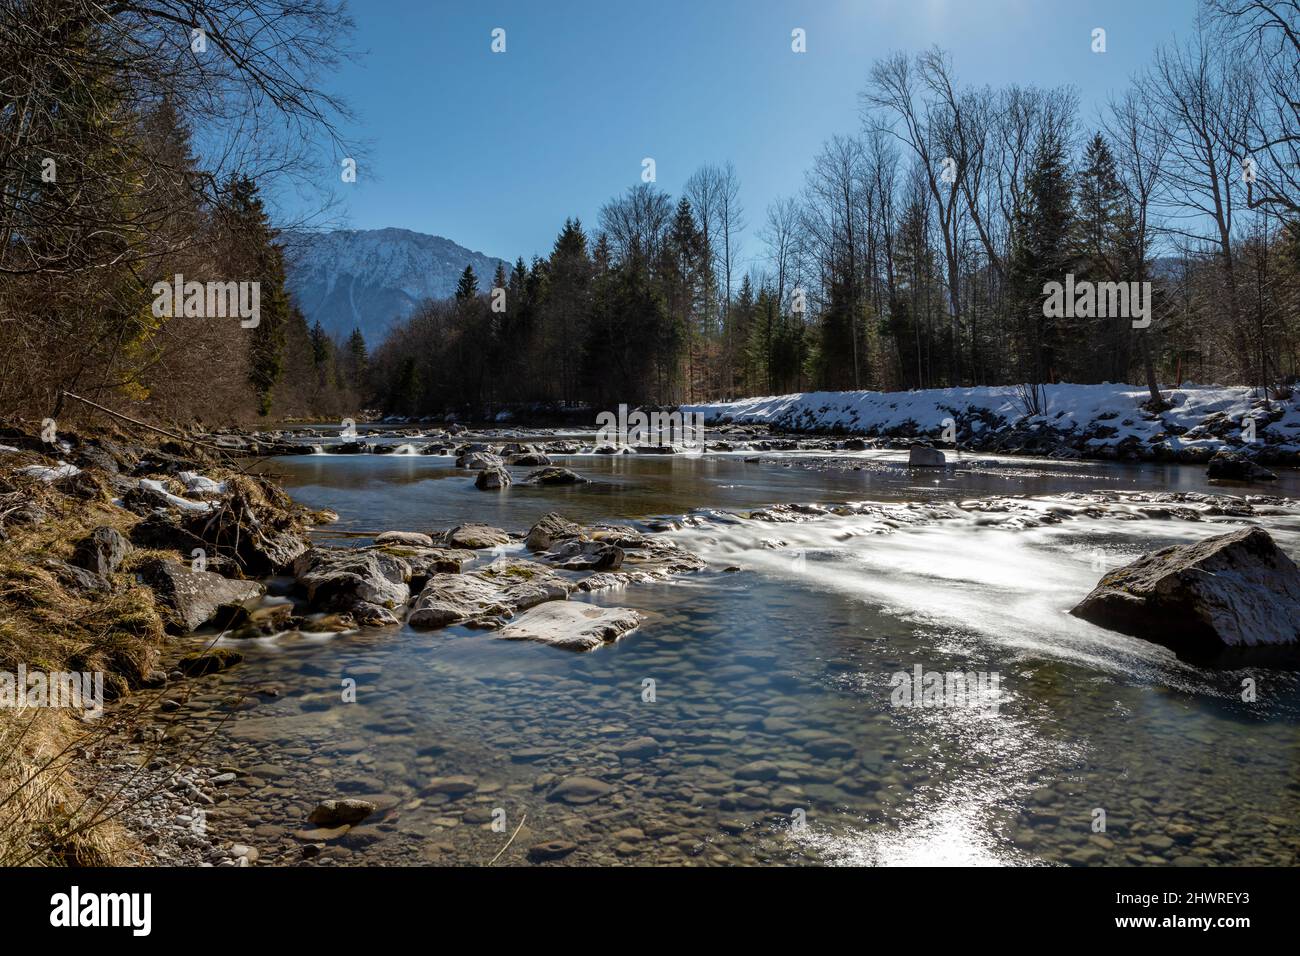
1069,409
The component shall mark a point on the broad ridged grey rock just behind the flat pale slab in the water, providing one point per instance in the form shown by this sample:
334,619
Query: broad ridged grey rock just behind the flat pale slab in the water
487,598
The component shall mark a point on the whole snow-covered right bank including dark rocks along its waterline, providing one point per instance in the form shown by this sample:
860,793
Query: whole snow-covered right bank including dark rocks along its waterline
1078,421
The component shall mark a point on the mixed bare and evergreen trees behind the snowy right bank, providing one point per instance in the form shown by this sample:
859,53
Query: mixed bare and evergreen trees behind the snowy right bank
917,252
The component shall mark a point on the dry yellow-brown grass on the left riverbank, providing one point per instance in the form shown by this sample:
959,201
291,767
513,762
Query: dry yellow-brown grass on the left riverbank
49,758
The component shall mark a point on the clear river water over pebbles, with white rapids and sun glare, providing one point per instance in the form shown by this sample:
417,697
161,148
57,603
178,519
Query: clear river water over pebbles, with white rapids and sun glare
751,719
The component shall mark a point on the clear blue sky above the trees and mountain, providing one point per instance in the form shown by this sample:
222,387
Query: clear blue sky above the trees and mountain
495,150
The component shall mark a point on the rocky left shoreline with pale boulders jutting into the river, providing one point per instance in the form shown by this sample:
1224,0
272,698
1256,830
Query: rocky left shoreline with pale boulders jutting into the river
189,538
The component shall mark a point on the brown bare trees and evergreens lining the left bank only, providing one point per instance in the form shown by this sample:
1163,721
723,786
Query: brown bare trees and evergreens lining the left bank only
105,109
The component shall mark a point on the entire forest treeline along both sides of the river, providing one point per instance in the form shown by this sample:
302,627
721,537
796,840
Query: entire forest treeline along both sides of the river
141,141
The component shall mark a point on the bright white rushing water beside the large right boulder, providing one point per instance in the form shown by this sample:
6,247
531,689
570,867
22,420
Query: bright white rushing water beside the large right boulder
973,579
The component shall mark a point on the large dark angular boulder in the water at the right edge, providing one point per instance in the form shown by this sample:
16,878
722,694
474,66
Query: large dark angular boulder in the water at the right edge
1233,598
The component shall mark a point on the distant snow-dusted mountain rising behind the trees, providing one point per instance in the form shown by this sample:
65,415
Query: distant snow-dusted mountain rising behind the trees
370,279
